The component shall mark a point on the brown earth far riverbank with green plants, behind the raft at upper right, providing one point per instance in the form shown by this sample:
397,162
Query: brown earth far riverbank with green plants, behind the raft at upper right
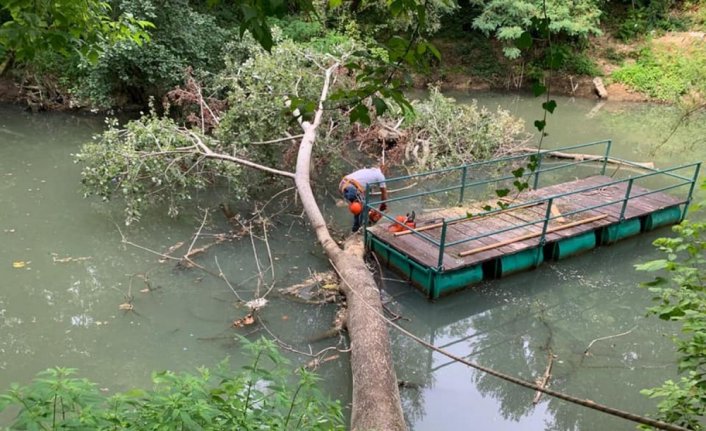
470,67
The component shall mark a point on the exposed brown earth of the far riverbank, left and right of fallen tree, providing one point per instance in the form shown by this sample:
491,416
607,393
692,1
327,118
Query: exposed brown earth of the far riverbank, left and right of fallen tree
468,68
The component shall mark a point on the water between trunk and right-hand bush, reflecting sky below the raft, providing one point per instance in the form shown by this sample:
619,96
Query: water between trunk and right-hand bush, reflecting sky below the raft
512,326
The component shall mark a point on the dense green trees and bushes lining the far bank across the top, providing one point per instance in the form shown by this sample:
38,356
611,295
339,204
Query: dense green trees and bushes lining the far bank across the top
108,64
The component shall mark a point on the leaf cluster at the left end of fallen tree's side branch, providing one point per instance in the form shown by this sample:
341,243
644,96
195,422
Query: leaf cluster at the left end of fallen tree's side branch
119,162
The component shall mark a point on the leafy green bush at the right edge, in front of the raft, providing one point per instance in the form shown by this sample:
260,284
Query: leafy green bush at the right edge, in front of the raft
681,298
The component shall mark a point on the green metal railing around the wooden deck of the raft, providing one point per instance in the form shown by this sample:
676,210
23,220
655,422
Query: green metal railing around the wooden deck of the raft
464,184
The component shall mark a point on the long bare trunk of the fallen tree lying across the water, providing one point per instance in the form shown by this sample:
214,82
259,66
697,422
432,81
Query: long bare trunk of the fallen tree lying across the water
376,398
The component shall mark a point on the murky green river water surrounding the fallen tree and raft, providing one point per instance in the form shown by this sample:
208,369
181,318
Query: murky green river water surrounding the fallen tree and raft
60,311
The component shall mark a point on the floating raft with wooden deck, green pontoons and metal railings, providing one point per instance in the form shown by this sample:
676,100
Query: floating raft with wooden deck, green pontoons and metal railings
465,237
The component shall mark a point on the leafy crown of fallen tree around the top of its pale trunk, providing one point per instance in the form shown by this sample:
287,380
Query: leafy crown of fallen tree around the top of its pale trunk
258,83
